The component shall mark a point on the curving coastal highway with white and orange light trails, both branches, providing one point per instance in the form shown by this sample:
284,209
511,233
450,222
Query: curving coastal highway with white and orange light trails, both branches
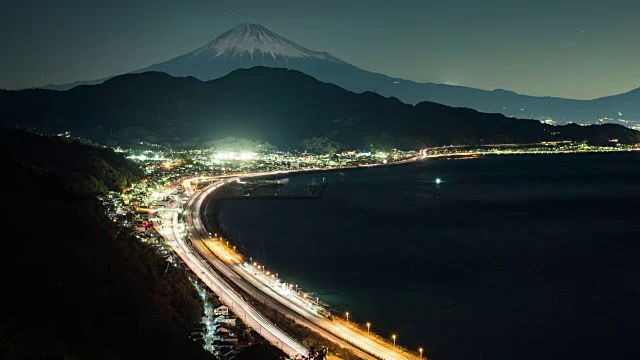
216,265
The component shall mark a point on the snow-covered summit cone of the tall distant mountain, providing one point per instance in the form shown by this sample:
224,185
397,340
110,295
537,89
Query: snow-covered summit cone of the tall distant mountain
255,39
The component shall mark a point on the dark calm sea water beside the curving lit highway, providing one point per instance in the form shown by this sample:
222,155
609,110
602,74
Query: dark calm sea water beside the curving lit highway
509,257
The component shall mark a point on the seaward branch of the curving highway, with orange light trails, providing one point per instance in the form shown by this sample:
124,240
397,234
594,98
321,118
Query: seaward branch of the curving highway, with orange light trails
336,330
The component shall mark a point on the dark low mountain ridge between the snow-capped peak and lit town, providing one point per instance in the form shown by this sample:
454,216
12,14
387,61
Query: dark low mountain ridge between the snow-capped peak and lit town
280,106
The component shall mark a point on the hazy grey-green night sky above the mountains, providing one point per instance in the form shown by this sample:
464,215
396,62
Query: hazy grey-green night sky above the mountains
573,49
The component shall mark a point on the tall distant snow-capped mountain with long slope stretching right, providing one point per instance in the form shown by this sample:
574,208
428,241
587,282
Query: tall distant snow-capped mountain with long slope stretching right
249,45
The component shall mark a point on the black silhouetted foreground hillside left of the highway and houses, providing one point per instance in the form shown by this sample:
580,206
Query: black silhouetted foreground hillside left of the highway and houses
74,286
